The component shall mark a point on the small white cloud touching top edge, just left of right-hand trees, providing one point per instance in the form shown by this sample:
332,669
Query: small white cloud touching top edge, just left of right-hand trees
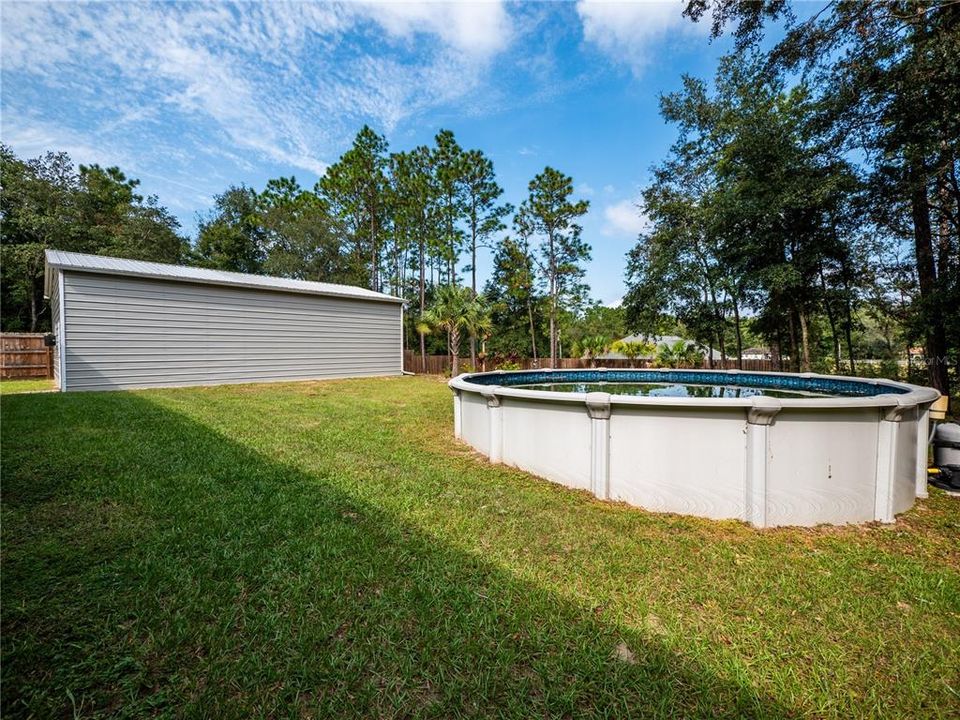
628,31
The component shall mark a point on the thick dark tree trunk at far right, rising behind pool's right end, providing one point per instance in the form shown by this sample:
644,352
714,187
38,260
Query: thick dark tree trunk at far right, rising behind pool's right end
936,339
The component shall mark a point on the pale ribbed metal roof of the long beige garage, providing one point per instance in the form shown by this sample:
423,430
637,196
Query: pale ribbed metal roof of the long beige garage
104,265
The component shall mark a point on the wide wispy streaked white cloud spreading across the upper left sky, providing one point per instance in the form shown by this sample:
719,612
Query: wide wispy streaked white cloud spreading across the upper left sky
285,81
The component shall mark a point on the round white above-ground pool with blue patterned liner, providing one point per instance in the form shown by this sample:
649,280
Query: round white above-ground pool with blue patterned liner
767,448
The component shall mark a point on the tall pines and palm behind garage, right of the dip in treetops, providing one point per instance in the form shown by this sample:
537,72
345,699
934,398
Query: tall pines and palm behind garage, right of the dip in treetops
404,223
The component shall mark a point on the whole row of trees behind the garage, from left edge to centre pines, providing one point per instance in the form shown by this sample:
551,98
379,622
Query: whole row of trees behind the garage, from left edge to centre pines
409,223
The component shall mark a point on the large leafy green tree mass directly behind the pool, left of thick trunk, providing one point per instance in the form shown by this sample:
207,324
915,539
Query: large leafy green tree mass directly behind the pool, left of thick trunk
751,212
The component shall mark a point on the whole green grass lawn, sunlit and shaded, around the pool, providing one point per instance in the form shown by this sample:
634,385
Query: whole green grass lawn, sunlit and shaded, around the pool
324,549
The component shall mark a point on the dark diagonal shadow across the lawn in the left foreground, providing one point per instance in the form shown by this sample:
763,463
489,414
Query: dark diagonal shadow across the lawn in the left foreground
155,566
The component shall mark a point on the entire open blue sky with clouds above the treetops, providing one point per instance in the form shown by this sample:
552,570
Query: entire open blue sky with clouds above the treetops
191,97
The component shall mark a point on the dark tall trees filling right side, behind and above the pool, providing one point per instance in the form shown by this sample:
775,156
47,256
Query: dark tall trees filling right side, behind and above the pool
813,189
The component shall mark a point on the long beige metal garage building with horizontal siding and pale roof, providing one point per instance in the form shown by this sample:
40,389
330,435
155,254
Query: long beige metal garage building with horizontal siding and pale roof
133,324
